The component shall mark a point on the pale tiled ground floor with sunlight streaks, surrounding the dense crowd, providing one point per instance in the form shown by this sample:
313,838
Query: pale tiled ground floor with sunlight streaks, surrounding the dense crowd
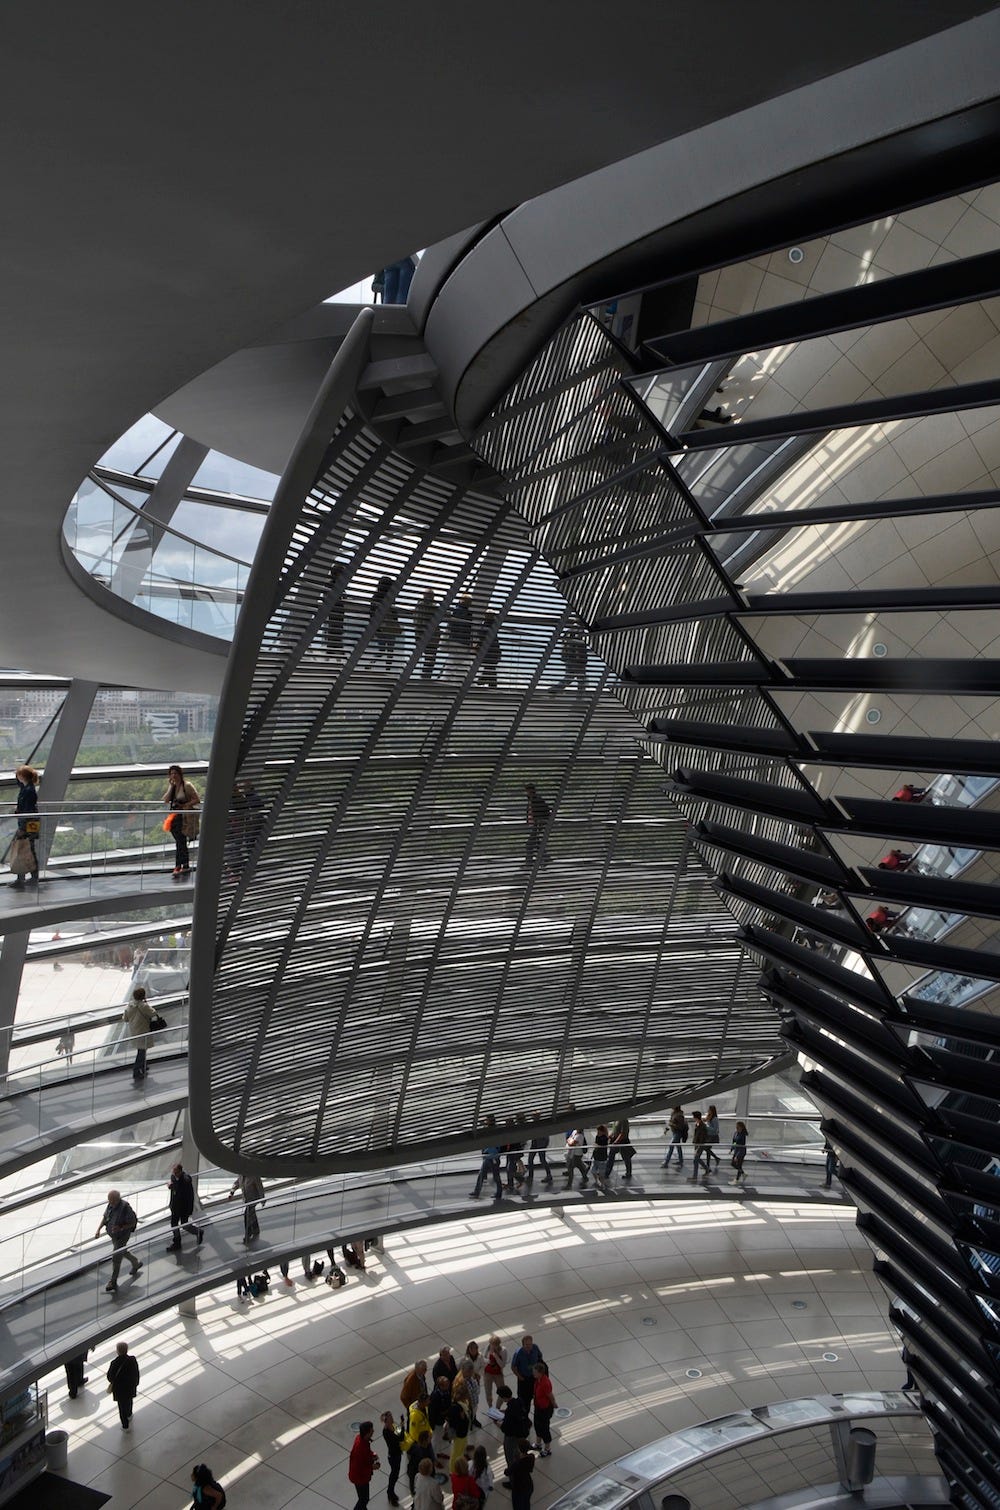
623,1301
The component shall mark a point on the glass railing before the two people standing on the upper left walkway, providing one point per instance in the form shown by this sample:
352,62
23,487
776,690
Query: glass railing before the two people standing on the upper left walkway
88,846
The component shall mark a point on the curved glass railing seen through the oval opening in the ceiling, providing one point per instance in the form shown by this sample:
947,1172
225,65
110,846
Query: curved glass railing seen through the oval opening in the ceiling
152,565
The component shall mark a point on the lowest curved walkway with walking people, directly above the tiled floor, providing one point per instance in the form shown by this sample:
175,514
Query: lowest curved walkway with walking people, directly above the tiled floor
67,1307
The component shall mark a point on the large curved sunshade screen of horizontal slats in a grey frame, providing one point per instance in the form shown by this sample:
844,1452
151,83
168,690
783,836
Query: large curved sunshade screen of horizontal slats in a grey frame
383,969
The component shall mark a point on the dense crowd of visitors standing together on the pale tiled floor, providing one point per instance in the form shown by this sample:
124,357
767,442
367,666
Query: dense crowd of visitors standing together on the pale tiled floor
440,1413
